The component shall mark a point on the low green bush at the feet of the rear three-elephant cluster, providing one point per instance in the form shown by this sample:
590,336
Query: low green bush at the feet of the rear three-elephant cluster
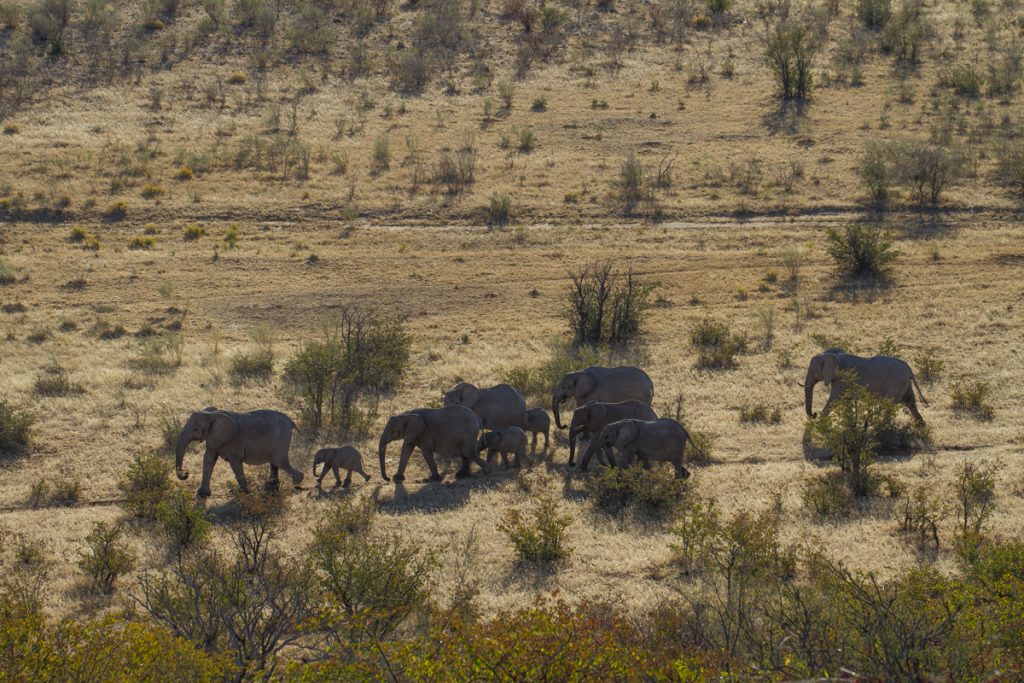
645,494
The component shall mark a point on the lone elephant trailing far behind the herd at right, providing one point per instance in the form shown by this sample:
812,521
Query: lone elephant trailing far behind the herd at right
883,375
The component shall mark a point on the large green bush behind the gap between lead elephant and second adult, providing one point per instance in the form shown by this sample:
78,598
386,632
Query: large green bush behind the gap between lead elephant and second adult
358,356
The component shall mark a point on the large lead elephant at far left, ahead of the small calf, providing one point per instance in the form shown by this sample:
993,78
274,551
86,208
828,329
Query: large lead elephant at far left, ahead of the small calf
251,439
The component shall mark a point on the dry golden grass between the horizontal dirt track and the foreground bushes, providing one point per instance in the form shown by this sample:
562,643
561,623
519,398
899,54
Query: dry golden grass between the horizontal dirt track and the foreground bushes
435,276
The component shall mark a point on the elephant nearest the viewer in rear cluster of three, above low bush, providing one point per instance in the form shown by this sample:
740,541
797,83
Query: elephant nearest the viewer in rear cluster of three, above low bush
650,441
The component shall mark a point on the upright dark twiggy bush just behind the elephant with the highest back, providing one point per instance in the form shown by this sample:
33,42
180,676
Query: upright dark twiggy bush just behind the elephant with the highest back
607,306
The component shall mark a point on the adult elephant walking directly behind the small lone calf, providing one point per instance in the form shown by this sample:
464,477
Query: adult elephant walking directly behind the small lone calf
450,432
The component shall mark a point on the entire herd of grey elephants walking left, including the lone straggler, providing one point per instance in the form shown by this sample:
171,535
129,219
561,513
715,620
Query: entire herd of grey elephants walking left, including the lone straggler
613,413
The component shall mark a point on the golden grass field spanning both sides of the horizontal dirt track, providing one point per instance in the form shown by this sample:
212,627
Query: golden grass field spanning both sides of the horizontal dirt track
383,240
